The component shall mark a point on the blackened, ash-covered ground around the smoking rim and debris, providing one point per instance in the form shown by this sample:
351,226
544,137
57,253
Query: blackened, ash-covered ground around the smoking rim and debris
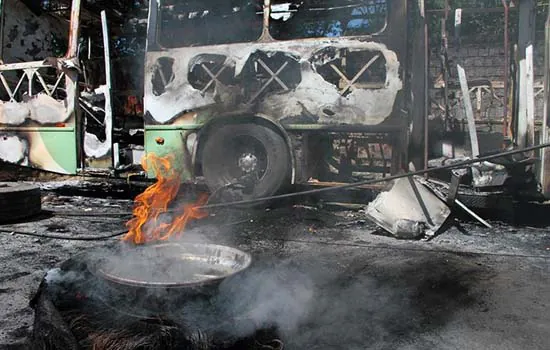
345,285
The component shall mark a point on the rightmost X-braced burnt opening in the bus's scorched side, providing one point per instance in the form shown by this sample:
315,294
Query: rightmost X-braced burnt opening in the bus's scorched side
349,69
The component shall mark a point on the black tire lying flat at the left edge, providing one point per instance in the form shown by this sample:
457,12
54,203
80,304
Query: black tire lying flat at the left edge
19,201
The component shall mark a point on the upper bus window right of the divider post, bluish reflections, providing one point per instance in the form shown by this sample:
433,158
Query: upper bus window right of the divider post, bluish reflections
320,19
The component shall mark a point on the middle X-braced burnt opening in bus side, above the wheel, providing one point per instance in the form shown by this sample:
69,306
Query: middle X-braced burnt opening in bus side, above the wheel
270,72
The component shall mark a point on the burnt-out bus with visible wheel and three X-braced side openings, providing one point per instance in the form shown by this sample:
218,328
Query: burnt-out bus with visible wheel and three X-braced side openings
257,95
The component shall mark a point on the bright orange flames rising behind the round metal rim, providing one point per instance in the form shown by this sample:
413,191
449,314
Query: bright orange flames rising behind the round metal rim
153,221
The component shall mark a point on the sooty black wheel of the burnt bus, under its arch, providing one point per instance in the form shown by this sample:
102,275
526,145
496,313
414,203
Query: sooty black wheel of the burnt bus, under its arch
250,160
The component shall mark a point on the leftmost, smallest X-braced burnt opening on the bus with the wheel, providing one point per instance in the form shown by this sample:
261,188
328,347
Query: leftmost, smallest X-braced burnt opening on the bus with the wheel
207,71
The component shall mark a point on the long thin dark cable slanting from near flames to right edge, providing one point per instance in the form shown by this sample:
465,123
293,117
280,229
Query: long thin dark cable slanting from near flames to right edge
373,181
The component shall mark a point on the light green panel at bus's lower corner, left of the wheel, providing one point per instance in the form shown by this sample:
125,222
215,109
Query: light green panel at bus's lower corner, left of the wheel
169,142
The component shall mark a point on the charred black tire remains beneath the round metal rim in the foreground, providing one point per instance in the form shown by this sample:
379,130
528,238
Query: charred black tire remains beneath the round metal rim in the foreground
74,309
